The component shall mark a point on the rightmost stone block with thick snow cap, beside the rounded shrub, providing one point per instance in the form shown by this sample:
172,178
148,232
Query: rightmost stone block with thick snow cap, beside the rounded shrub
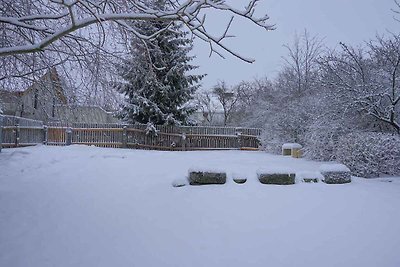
335,173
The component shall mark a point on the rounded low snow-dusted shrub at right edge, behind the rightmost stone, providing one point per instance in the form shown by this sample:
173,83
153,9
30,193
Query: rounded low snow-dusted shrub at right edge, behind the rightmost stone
370,154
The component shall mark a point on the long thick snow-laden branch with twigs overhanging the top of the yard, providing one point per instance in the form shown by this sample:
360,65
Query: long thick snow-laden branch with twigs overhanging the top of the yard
50,21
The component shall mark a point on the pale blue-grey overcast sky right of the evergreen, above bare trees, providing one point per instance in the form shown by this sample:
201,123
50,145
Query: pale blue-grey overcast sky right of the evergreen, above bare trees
348,21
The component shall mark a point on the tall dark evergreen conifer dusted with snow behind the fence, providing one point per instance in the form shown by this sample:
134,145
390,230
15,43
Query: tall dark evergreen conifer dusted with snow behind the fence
156,83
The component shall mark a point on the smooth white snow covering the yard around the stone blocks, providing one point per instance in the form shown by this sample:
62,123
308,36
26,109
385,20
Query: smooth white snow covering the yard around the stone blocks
86,206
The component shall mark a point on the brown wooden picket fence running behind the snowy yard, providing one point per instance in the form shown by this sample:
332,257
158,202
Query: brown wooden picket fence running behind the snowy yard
25,132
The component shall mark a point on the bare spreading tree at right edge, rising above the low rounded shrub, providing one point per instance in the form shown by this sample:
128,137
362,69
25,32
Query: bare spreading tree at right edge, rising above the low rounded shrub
367,81
